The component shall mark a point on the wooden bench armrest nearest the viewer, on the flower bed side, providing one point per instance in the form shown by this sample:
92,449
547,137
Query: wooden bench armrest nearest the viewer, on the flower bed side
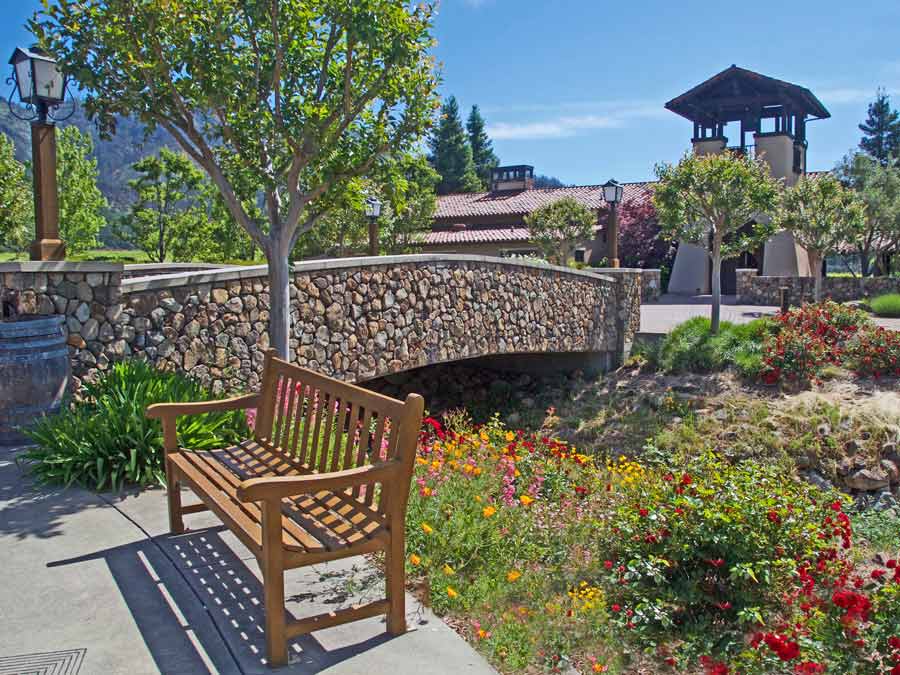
277,487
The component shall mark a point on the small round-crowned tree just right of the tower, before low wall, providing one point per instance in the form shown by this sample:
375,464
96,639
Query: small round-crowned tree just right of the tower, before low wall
823,216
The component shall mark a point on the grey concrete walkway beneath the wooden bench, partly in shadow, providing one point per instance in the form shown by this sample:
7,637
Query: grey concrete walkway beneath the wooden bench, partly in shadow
93,584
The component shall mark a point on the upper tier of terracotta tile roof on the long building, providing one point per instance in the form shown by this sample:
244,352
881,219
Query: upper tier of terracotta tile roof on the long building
523,202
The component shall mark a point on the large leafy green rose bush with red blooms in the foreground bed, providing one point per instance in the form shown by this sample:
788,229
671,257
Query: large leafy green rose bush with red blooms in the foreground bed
697,553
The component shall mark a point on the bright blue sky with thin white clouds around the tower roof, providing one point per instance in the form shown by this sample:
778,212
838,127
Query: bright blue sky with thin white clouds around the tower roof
577,87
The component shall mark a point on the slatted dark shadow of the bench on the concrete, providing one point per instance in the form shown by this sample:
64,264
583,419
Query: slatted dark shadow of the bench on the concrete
199,607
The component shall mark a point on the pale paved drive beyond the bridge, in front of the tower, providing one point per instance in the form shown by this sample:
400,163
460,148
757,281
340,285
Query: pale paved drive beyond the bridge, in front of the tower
670,310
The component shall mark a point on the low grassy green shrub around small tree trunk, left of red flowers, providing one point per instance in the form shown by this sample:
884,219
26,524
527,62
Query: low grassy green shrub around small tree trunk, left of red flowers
691,348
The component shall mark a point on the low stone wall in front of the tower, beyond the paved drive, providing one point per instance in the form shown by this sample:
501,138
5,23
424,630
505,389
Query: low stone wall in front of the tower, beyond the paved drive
753,289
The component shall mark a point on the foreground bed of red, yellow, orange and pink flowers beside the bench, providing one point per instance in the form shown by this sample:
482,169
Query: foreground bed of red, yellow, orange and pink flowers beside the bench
546,557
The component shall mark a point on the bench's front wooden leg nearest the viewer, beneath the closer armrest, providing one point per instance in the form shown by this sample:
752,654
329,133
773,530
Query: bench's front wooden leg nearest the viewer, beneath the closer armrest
272,564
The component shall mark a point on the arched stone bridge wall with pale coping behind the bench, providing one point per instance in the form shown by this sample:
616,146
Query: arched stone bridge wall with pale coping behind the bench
353,318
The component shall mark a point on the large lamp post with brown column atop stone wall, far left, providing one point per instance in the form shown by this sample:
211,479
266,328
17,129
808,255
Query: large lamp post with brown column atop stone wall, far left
41,87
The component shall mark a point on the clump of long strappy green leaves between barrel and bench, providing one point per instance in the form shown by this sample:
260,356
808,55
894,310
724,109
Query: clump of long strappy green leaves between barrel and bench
106,441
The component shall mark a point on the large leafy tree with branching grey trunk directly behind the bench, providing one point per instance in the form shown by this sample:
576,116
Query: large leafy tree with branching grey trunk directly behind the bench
281,103
